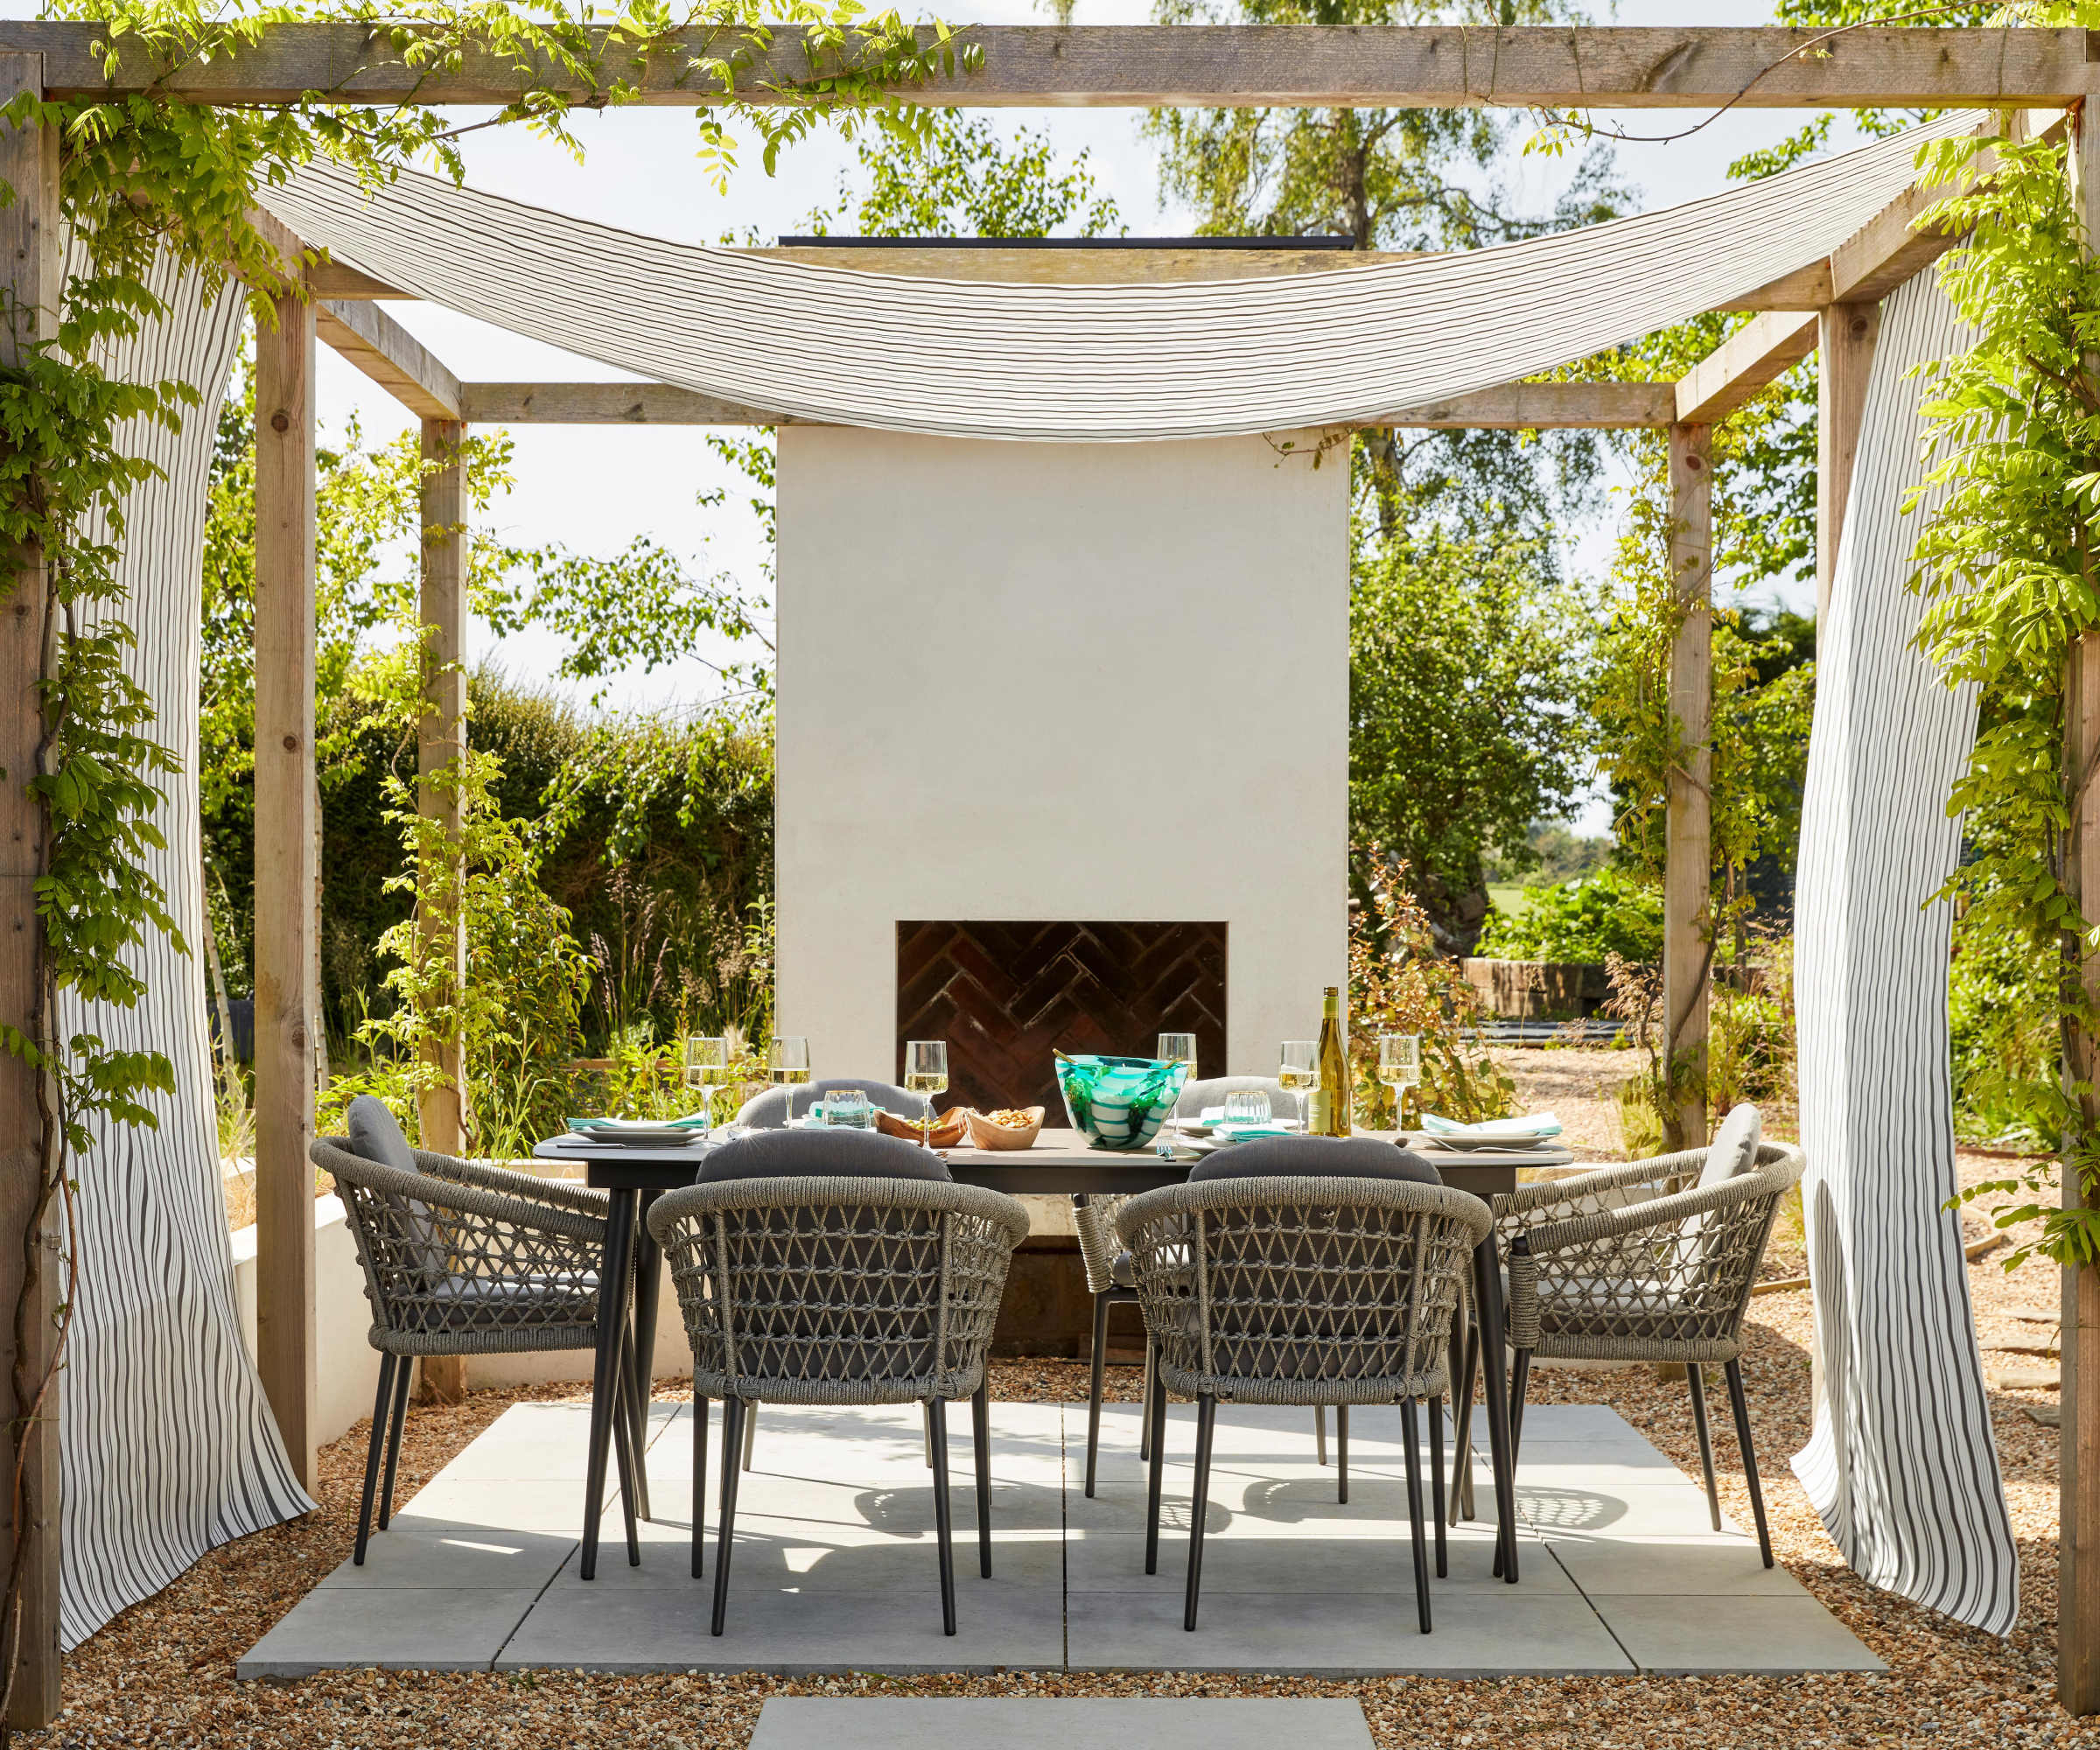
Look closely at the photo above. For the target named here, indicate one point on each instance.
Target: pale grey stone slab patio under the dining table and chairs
(835, 1564)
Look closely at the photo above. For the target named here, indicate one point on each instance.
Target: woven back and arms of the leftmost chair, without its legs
(446, 1259)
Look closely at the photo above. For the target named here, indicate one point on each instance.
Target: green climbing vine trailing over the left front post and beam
(148, 173)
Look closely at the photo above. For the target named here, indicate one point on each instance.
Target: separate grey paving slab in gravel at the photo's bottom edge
(1059, 1724)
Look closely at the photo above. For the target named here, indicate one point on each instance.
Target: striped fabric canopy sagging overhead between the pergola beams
(1089, 362)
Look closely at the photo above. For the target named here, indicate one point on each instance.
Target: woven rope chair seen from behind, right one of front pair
(1301, 1291)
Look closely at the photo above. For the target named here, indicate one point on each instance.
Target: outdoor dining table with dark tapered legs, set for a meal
(1055, 1165)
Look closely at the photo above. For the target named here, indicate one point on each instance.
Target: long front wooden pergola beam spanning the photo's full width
(1148, 66)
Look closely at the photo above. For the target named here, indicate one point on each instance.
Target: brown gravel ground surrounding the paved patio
(163, 1673)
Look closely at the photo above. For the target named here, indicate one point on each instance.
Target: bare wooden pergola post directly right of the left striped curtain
(287, 871)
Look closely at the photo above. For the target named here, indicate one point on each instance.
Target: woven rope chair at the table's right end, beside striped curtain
(1660, 1278)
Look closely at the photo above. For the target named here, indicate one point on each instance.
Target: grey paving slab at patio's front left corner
(348, 1629)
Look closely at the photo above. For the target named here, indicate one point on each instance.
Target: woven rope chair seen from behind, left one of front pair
(839, 1291)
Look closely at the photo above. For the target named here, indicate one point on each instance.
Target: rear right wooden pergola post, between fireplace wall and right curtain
(1689, 860)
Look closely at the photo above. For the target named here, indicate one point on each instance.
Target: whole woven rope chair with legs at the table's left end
(467, 1259)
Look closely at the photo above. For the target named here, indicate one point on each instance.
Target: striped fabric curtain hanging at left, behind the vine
(167, 1440)
